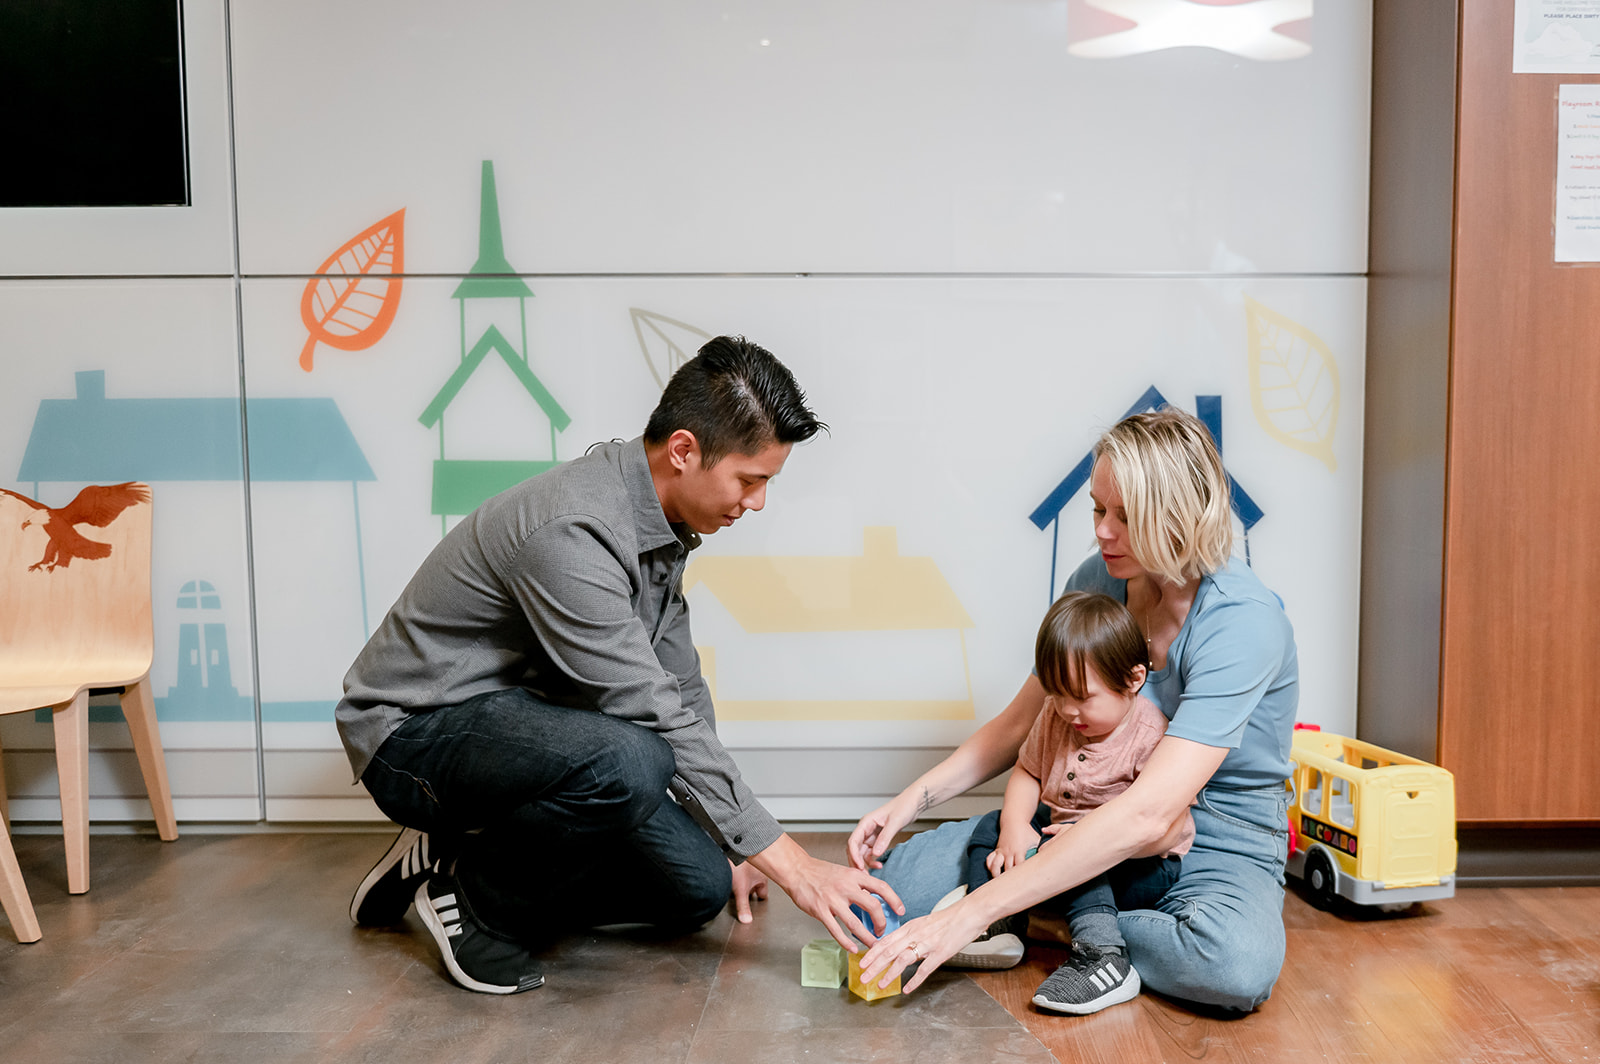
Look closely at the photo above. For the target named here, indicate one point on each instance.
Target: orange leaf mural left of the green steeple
(354, 308)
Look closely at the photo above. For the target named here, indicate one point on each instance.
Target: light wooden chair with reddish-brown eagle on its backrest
(78, 617)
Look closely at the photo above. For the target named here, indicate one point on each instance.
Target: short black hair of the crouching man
(737, 399)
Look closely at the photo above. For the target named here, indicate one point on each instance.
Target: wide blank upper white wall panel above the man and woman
(705, 137)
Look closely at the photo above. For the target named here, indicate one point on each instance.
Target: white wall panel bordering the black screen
(148, 241)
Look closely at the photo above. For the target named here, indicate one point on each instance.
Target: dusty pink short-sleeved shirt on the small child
(1078, 775)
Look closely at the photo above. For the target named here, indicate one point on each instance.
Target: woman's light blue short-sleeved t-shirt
(1231, 678)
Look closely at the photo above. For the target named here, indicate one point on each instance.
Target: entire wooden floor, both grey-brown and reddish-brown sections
(239, 948)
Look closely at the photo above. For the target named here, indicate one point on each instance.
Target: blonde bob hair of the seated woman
(1175, 492)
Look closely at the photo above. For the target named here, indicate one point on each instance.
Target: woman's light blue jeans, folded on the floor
(1215, 938)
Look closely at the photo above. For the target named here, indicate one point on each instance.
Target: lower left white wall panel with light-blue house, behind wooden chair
(138, 380)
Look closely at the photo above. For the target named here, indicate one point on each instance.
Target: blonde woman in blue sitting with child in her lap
(1222, 670)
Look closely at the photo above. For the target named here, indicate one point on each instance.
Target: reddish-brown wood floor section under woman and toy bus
(1490, 975)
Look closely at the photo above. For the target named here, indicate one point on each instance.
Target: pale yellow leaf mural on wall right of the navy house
(1294, 383)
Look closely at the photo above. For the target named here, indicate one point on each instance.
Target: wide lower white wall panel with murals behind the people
(958, 407)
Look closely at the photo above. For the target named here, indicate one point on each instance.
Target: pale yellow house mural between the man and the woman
(871, 638)
